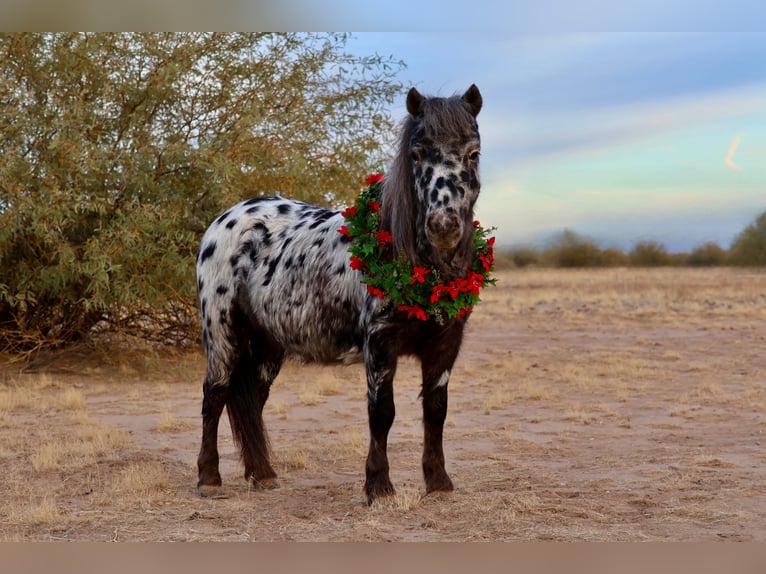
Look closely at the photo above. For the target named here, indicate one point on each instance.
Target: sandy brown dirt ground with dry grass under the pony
(619, 405)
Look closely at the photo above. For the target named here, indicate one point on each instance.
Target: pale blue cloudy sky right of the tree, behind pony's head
(619, 136)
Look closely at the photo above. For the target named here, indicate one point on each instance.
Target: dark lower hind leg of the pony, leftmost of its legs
(214, 399)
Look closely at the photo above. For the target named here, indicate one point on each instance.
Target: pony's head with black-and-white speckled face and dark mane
(434, 181)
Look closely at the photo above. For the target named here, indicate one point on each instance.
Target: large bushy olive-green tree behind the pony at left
(117, 150)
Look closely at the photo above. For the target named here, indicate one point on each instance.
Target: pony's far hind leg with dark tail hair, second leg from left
(247, 396)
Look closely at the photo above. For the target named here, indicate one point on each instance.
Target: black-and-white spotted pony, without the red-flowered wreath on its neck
(274, 281)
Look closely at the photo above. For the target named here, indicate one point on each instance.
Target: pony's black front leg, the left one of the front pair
(380, 363)
